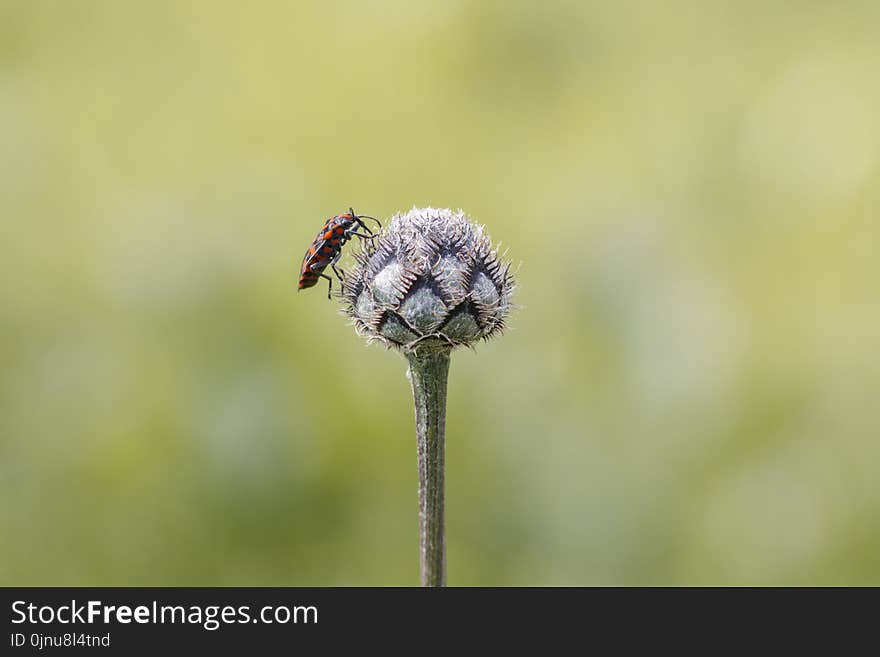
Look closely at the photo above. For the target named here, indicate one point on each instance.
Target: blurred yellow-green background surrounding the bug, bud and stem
(688, 394)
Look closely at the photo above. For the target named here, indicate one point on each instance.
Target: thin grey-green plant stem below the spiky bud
(428, 373)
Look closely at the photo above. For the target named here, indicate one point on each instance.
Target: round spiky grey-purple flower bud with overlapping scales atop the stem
(431, 279)
